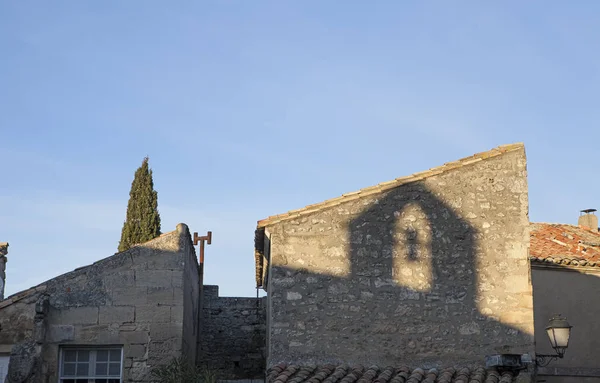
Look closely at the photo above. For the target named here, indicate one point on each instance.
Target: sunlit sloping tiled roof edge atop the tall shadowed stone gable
(387, 185)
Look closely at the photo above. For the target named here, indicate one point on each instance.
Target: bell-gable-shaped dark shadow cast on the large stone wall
(410, 297)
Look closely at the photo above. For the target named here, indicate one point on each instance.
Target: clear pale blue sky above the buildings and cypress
(252, 108)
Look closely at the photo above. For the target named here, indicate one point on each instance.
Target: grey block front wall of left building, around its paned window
(134, 299)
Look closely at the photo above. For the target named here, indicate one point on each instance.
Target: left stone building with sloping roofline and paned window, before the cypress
(110, 321)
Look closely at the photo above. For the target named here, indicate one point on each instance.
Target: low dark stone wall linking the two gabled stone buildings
(232, 340)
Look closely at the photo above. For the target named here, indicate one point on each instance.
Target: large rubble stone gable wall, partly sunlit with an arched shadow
(433, 272)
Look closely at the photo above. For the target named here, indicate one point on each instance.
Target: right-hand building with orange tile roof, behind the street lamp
(565, 268)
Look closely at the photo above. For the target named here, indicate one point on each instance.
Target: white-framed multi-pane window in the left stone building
(90, 365)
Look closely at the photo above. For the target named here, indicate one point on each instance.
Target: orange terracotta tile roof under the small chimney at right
(564, 245)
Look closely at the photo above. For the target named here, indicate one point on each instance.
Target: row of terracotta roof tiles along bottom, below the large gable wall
(282, 373)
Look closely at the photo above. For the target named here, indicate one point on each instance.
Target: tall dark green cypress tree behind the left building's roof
(143, 221)
